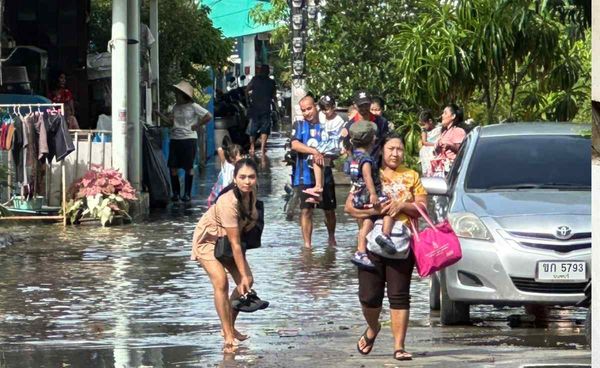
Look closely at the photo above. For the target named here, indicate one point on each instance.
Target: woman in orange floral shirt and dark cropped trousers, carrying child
(403, 187)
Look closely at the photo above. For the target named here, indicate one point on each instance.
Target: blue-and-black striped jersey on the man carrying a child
(310, 135)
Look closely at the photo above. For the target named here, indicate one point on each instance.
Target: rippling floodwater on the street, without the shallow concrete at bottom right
(129, 296)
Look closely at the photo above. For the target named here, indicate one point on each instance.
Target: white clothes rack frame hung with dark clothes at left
(32, 108)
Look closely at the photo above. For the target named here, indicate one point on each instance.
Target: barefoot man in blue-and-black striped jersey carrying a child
(306, 135)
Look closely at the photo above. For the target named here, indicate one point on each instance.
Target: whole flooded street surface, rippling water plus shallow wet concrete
(129, 296)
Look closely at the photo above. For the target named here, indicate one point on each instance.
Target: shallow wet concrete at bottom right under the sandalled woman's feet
(431, 347)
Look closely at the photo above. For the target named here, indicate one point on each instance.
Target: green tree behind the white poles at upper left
(188, 41)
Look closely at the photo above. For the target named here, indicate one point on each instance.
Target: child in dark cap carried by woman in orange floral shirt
(366, 185)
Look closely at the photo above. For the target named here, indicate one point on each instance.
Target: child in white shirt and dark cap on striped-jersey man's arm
(329, 146)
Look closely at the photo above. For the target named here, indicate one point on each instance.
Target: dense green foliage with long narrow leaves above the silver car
(504, 60)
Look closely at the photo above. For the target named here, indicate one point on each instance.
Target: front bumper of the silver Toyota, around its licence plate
(502, 272)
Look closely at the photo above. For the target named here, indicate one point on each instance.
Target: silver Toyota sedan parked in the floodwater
(519, 198)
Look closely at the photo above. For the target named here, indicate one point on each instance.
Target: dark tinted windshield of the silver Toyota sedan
(530, 162)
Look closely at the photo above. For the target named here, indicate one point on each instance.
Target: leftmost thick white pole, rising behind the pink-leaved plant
(118, 48)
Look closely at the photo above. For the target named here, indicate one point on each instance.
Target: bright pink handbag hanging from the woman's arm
(436, 247)
